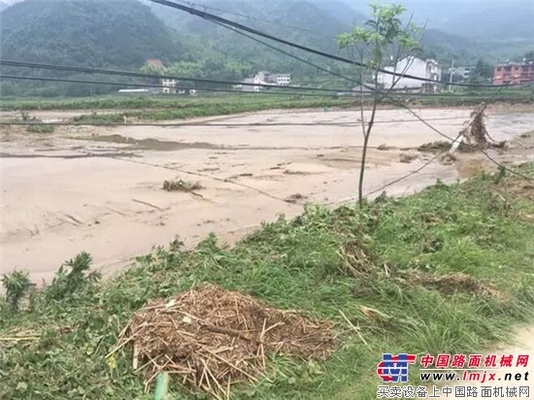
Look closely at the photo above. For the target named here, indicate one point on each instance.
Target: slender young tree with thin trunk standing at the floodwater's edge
(383, 40)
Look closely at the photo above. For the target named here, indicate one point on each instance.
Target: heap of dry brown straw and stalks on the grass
(210, 338)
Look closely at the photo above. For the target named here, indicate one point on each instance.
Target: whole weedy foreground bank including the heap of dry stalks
(444, 271)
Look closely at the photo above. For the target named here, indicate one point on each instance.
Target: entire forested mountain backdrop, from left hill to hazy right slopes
(123, 34)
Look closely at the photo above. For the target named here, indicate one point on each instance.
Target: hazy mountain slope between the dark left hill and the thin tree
(303, 22)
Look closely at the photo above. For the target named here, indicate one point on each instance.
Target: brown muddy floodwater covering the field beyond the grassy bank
(100, 189)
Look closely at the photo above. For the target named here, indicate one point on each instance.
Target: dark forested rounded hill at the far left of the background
(92, 33)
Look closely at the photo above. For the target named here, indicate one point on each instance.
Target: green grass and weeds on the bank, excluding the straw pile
(313, 263)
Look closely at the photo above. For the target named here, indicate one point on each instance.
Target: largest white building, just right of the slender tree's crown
(426, 69)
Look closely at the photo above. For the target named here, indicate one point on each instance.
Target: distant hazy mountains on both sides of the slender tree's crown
(463, 31)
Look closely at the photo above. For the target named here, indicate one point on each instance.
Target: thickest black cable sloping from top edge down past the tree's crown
(213, 18)
